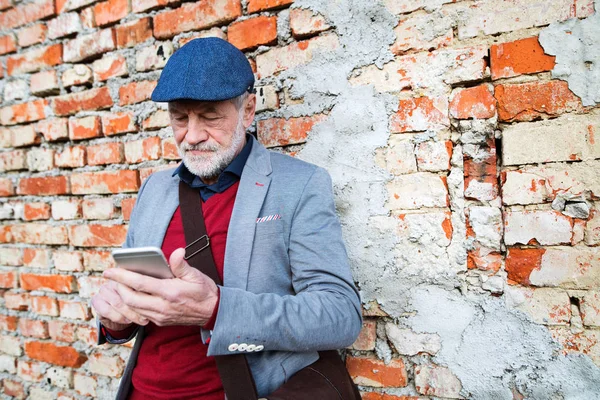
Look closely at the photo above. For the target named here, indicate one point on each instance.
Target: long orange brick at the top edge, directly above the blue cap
(195, 16)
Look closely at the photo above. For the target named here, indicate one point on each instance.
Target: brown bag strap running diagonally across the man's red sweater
(233, 369)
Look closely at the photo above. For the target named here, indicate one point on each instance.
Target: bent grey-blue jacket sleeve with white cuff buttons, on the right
(325, 311)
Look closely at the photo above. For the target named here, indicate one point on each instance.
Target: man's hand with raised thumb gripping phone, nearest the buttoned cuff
(188, 299)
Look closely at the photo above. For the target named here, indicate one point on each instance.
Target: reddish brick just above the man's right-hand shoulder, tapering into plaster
(282, 132)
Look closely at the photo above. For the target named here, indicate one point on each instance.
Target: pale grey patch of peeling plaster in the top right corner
(576, 45)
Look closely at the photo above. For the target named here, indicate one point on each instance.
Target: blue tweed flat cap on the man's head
(207, 69)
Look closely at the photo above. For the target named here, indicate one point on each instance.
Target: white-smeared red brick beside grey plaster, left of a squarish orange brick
(420, 114)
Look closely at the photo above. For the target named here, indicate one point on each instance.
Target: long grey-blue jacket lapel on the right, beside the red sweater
(253, 188)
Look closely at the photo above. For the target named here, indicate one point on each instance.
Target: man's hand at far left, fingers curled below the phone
(111, 311)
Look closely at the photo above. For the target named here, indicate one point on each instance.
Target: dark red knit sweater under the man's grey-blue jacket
(172, 363)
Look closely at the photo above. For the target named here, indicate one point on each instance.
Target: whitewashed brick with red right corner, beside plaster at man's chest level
(418, 190)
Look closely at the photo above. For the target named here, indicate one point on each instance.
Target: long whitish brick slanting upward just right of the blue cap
(283, 58)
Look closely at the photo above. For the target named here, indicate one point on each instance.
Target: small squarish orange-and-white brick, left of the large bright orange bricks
(477, 102)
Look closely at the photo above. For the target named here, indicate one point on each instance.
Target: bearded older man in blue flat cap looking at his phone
(274, 237)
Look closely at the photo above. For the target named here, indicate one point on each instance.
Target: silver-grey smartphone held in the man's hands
(143, 260)
